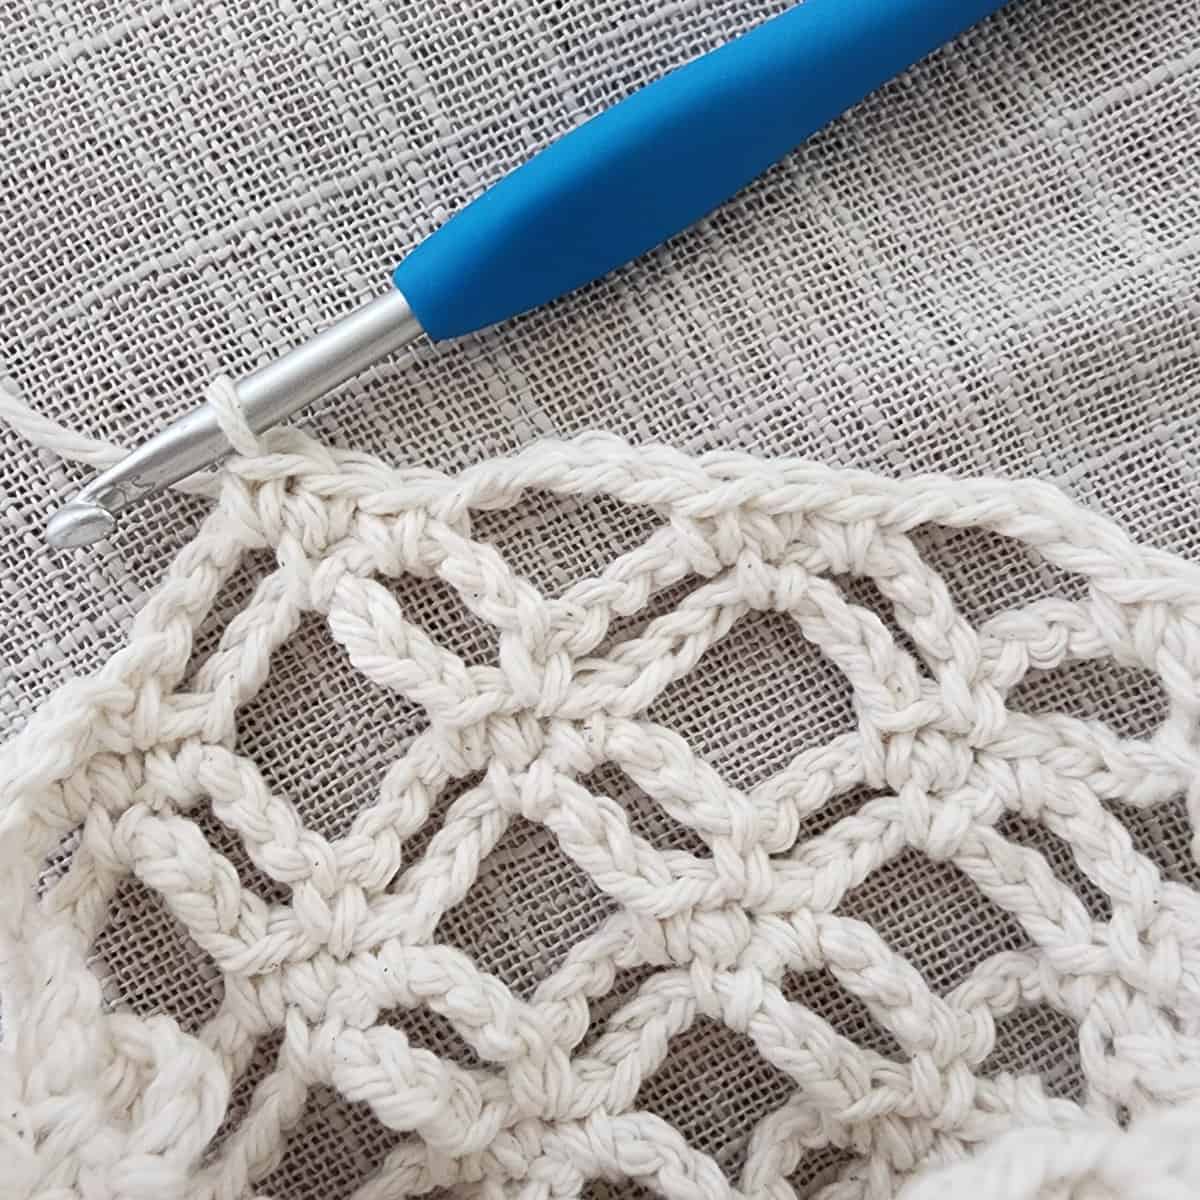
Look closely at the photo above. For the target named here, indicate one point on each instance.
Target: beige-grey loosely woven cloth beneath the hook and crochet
(991, 267)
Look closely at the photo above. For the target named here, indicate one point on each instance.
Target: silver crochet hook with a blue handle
(599, 197)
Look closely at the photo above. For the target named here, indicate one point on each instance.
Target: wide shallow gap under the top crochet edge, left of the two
(554, 542)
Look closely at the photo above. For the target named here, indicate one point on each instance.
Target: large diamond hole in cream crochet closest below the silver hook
(322, 735)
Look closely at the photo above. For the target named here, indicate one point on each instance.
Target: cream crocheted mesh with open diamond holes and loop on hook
(106, 1105)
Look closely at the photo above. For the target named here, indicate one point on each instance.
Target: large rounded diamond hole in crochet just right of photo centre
(763, 676)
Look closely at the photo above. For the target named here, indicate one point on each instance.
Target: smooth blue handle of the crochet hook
(656, 164)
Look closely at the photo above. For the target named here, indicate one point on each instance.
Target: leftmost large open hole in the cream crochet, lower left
(148, 963)
